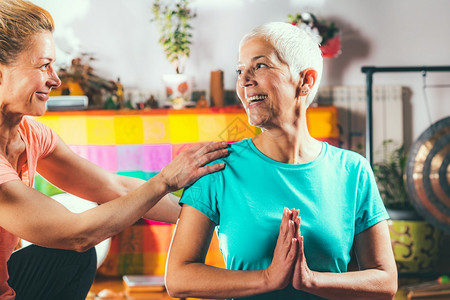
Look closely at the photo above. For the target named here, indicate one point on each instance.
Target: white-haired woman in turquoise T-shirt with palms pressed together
(335, 206)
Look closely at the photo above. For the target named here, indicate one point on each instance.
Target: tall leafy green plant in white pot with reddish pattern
(172, 20)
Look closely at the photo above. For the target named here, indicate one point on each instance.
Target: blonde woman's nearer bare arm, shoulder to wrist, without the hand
(37, 218)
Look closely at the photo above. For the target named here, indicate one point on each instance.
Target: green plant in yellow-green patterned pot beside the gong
(415, 242)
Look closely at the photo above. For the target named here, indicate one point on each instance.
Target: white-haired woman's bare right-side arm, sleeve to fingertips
(377, 278)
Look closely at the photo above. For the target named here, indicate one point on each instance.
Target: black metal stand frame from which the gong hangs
(369, 71)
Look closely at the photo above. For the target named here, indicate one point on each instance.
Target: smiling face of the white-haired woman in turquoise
(265, 85)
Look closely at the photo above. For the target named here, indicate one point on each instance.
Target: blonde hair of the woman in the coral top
(19, 21)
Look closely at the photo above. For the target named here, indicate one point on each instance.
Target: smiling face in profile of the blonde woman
(25, 84)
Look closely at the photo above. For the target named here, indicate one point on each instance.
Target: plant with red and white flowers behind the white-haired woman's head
(326, 33)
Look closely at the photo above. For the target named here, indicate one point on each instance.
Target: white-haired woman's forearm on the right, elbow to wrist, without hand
(365, 284)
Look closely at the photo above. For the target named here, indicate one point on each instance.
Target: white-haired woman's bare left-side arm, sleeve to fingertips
(188, 276)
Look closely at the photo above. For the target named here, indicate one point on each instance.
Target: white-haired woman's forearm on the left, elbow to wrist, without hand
(212, 282)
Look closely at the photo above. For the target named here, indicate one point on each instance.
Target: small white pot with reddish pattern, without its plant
(178, 89)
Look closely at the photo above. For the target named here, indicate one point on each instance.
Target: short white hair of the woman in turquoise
(296, 47)
